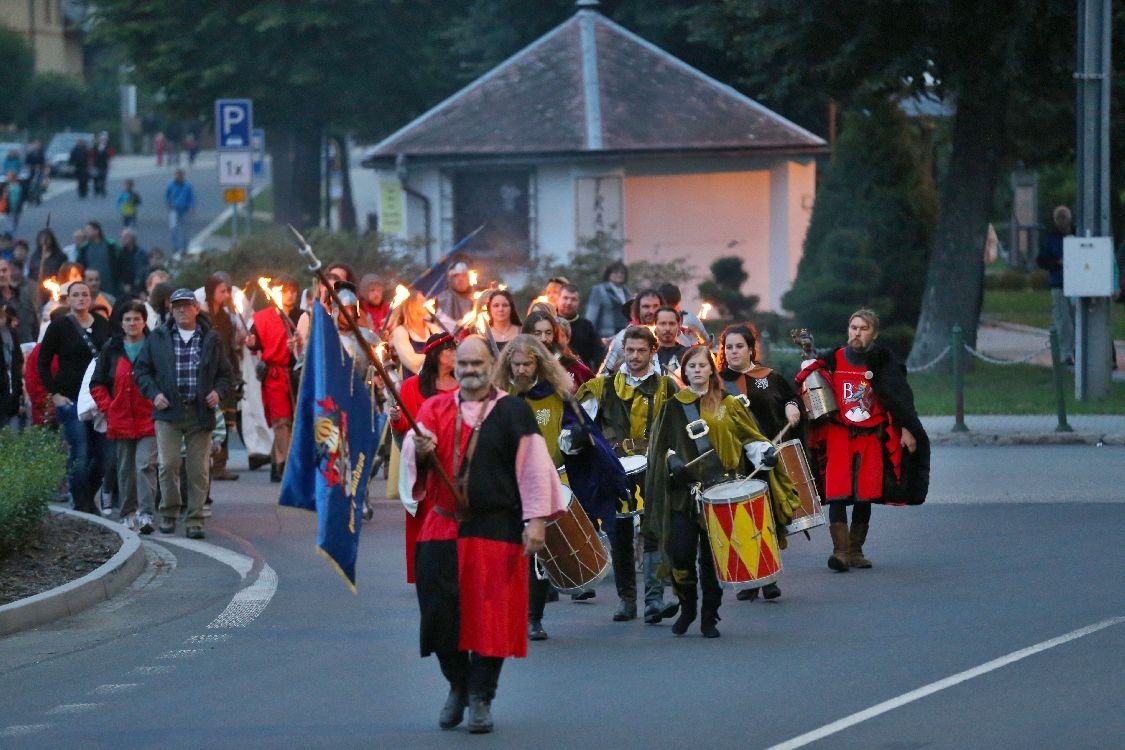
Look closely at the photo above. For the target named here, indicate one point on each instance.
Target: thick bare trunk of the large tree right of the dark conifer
(956, 277)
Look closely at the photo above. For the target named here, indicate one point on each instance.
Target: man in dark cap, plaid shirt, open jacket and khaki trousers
(184, 371)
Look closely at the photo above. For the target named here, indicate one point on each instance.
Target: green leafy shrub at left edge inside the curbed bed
(32, 464)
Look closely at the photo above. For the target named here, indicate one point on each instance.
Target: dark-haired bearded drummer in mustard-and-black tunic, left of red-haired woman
(624, 404)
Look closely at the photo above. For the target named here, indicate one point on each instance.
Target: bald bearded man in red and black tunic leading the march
(470, 558)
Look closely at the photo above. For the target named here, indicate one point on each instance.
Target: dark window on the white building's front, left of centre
(502, 202)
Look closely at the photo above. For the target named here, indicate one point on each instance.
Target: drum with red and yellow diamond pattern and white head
(741, 527)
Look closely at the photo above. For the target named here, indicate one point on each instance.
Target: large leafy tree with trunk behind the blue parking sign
(358, 66)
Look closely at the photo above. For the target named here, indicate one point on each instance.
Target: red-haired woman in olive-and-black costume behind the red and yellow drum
(700, 419)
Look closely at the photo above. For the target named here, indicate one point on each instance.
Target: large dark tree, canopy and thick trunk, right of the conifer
(980, 57)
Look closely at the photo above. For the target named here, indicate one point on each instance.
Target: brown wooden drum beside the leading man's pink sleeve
(575, 555)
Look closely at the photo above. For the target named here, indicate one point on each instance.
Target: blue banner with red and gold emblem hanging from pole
(335, 438)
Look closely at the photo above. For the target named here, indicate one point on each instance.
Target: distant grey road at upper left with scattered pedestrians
(68, 212)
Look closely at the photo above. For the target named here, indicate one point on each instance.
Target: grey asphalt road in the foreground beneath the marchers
(994, 618)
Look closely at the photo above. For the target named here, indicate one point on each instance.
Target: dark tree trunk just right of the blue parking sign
(298, 177)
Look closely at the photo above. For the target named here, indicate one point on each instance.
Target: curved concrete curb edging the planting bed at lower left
(97, 586)
